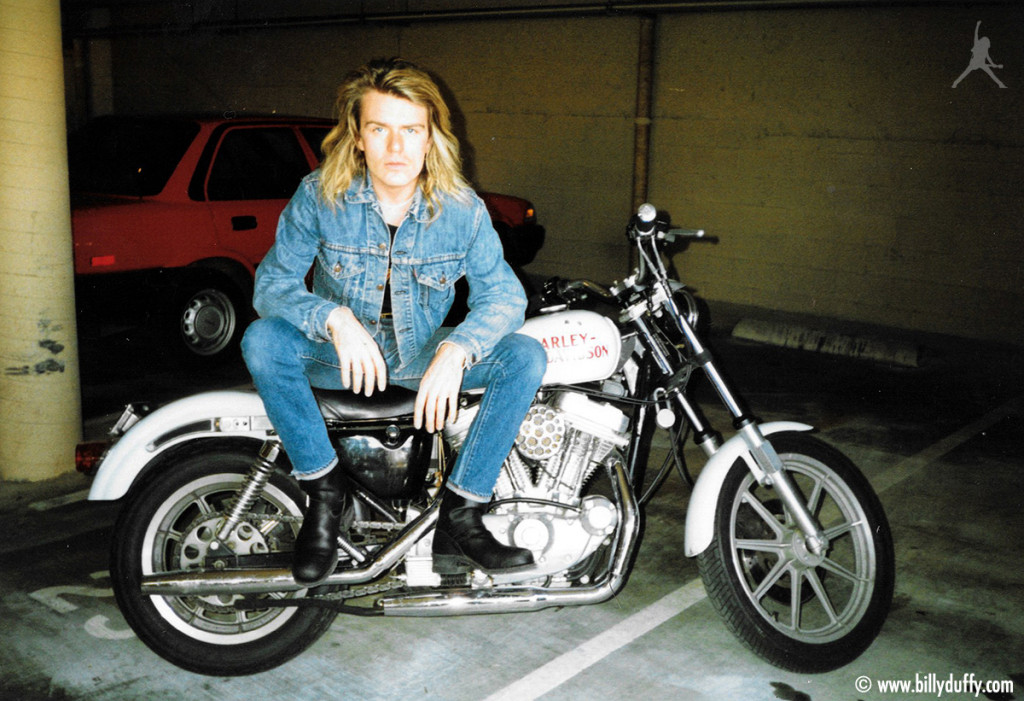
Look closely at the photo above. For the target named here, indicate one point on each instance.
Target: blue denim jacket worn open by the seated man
(350, 248)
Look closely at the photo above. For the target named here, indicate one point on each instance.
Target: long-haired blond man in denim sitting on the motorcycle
(390, 225)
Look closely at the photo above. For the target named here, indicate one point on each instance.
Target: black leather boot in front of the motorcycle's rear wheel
(317, 544)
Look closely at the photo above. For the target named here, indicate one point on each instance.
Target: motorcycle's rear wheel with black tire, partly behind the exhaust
(169, 524)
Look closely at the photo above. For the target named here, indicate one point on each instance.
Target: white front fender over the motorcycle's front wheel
(704, 501)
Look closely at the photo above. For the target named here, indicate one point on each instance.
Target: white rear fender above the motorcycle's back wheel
(211, 415)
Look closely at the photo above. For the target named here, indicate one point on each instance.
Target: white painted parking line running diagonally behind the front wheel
(568, 666)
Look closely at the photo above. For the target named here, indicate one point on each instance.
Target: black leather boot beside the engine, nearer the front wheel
(463, 544)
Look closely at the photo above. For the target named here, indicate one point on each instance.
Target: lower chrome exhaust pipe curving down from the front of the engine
(521, 599)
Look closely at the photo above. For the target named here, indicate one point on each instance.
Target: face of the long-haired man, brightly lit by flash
(395, 136)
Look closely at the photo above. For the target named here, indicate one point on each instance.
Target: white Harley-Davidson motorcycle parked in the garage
(791, 542)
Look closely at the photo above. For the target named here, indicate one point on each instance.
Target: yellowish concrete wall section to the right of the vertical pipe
(844, 174)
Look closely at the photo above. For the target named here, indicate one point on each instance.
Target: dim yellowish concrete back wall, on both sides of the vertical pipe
(827, 148)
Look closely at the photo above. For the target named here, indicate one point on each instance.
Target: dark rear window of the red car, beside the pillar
(127, 157)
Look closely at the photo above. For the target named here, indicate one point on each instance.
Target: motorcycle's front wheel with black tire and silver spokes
(799, 610)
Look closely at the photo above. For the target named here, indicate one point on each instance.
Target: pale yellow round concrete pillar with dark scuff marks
(40, 403)
